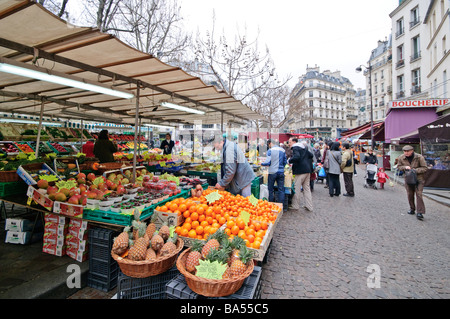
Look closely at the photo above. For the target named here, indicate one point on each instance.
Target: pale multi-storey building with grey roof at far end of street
(323, 104)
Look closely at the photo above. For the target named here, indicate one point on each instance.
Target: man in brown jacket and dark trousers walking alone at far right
(412, 164)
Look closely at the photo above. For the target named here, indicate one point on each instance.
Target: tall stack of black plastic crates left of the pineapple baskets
(103, 269)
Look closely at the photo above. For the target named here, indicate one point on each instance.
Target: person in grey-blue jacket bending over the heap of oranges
(237, 174)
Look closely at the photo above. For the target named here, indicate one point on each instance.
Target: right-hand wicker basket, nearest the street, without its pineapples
(212, 287)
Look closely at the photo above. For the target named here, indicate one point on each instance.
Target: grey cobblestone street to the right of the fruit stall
(326, 253)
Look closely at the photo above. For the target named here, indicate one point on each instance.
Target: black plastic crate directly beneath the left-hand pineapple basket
(153, 287)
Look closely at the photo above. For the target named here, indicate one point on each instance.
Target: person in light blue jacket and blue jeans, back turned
(276, 160)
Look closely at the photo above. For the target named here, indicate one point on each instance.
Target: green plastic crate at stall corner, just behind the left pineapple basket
(116, 218)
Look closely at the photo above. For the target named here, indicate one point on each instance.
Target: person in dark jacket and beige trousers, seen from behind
(301, 161)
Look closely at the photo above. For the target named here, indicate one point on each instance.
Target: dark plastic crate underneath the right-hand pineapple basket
(177, 288)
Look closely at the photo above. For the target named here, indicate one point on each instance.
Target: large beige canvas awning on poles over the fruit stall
(33, 37)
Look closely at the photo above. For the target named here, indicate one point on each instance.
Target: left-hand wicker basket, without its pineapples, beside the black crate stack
(144, 268)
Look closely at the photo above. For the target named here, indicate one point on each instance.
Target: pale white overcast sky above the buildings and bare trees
(335, 35)
